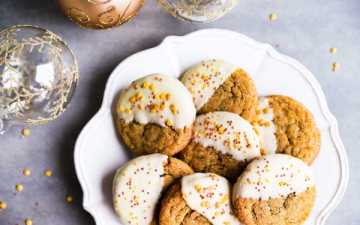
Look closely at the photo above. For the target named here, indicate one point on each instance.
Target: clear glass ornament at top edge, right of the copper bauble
(198, 10)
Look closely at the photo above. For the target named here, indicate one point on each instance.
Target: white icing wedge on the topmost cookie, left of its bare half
(203, 79)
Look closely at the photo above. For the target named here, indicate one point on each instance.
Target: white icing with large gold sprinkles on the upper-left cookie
(158, 99)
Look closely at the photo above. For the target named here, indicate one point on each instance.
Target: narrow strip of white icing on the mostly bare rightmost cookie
(267, 127)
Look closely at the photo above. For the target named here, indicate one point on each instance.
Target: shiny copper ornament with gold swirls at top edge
(100, 14)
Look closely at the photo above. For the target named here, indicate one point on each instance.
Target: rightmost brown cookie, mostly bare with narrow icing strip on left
(286, 126)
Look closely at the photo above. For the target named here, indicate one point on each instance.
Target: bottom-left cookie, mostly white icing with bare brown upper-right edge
(138, 186)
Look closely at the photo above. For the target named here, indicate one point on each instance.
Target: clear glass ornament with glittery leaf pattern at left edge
(38, 76)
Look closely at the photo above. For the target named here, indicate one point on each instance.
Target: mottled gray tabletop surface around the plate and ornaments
(306, 29)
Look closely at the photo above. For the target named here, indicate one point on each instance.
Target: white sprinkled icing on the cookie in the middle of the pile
(227, 133)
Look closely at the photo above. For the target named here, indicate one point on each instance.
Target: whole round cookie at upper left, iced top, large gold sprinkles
(155, 115)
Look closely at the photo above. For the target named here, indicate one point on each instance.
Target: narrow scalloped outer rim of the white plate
(310, 78)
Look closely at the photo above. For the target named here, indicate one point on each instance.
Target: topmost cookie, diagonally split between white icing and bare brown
(219, 86)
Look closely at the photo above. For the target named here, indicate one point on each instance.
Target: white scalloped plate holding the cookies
(98, 153)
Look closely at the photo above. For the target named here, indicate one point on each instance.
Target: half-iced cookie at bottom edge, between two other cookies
(199, 199)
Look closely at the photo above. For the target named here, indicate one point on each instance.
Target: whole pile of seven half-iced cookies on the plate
(211, 151)
